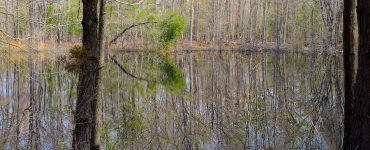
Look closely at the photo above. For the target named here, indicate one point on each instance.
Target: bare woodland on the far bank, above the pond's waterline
(219, 23)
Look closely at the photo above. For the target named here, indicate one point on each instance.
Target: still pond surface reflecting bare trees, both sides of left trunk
(232, 100)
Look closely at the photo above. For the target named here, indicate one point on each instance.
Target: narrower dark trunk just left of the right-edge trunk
(349, 63)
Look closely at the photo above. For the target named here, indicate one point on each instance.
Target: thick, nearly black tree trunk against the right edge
(359, 137)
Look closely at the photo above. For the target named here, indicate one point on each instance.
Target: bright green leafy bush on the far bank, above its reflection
(172, 28)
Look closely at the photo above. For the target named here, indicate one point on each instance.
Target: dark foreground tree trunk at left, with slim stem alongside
(88, 86)
